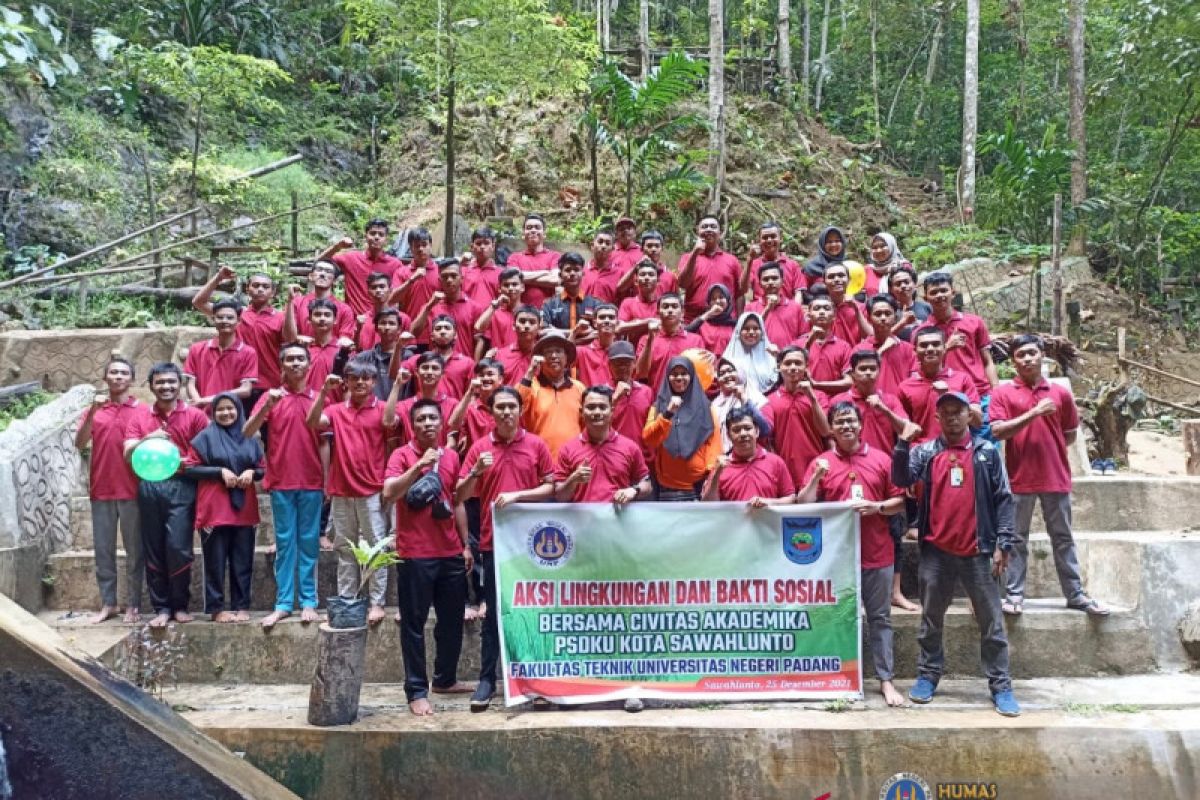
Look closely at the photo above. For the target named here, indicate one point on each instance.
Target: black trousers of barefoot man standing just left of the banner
(441, 585)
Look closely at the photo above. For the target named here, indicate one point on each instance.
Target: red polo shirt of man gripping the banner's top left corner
(518, 466)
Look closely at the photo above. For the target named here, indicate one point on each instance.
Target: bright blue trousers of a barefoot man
(297, 546)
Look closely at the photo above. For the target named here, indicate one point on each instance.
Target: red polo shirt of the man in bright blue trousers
(293, 458)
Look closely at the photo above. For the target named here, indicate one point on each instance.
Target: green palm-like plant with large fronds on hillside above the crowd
(640, 123)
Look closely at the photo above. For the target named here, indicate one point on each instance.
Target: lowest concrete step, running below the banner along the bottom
(1131, 737)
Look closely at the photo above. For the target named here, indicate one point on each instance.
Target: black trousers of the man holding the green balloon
(167, 512)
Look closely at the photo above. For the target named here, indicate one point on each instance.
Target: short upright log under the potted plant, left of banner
(338, 681)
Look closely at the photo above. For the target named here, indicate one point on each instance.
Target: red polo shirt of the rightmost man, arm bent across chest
(1037, 455)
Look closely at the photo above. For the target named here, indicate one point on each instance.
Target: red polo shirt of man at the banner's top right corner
(871, 471)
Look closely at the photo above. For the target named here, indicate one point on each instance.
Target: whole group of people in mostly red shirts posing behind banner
(437, 390)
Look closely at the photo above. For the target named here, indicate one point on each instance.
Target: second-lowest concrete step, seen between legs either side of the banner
(1047, 641)
